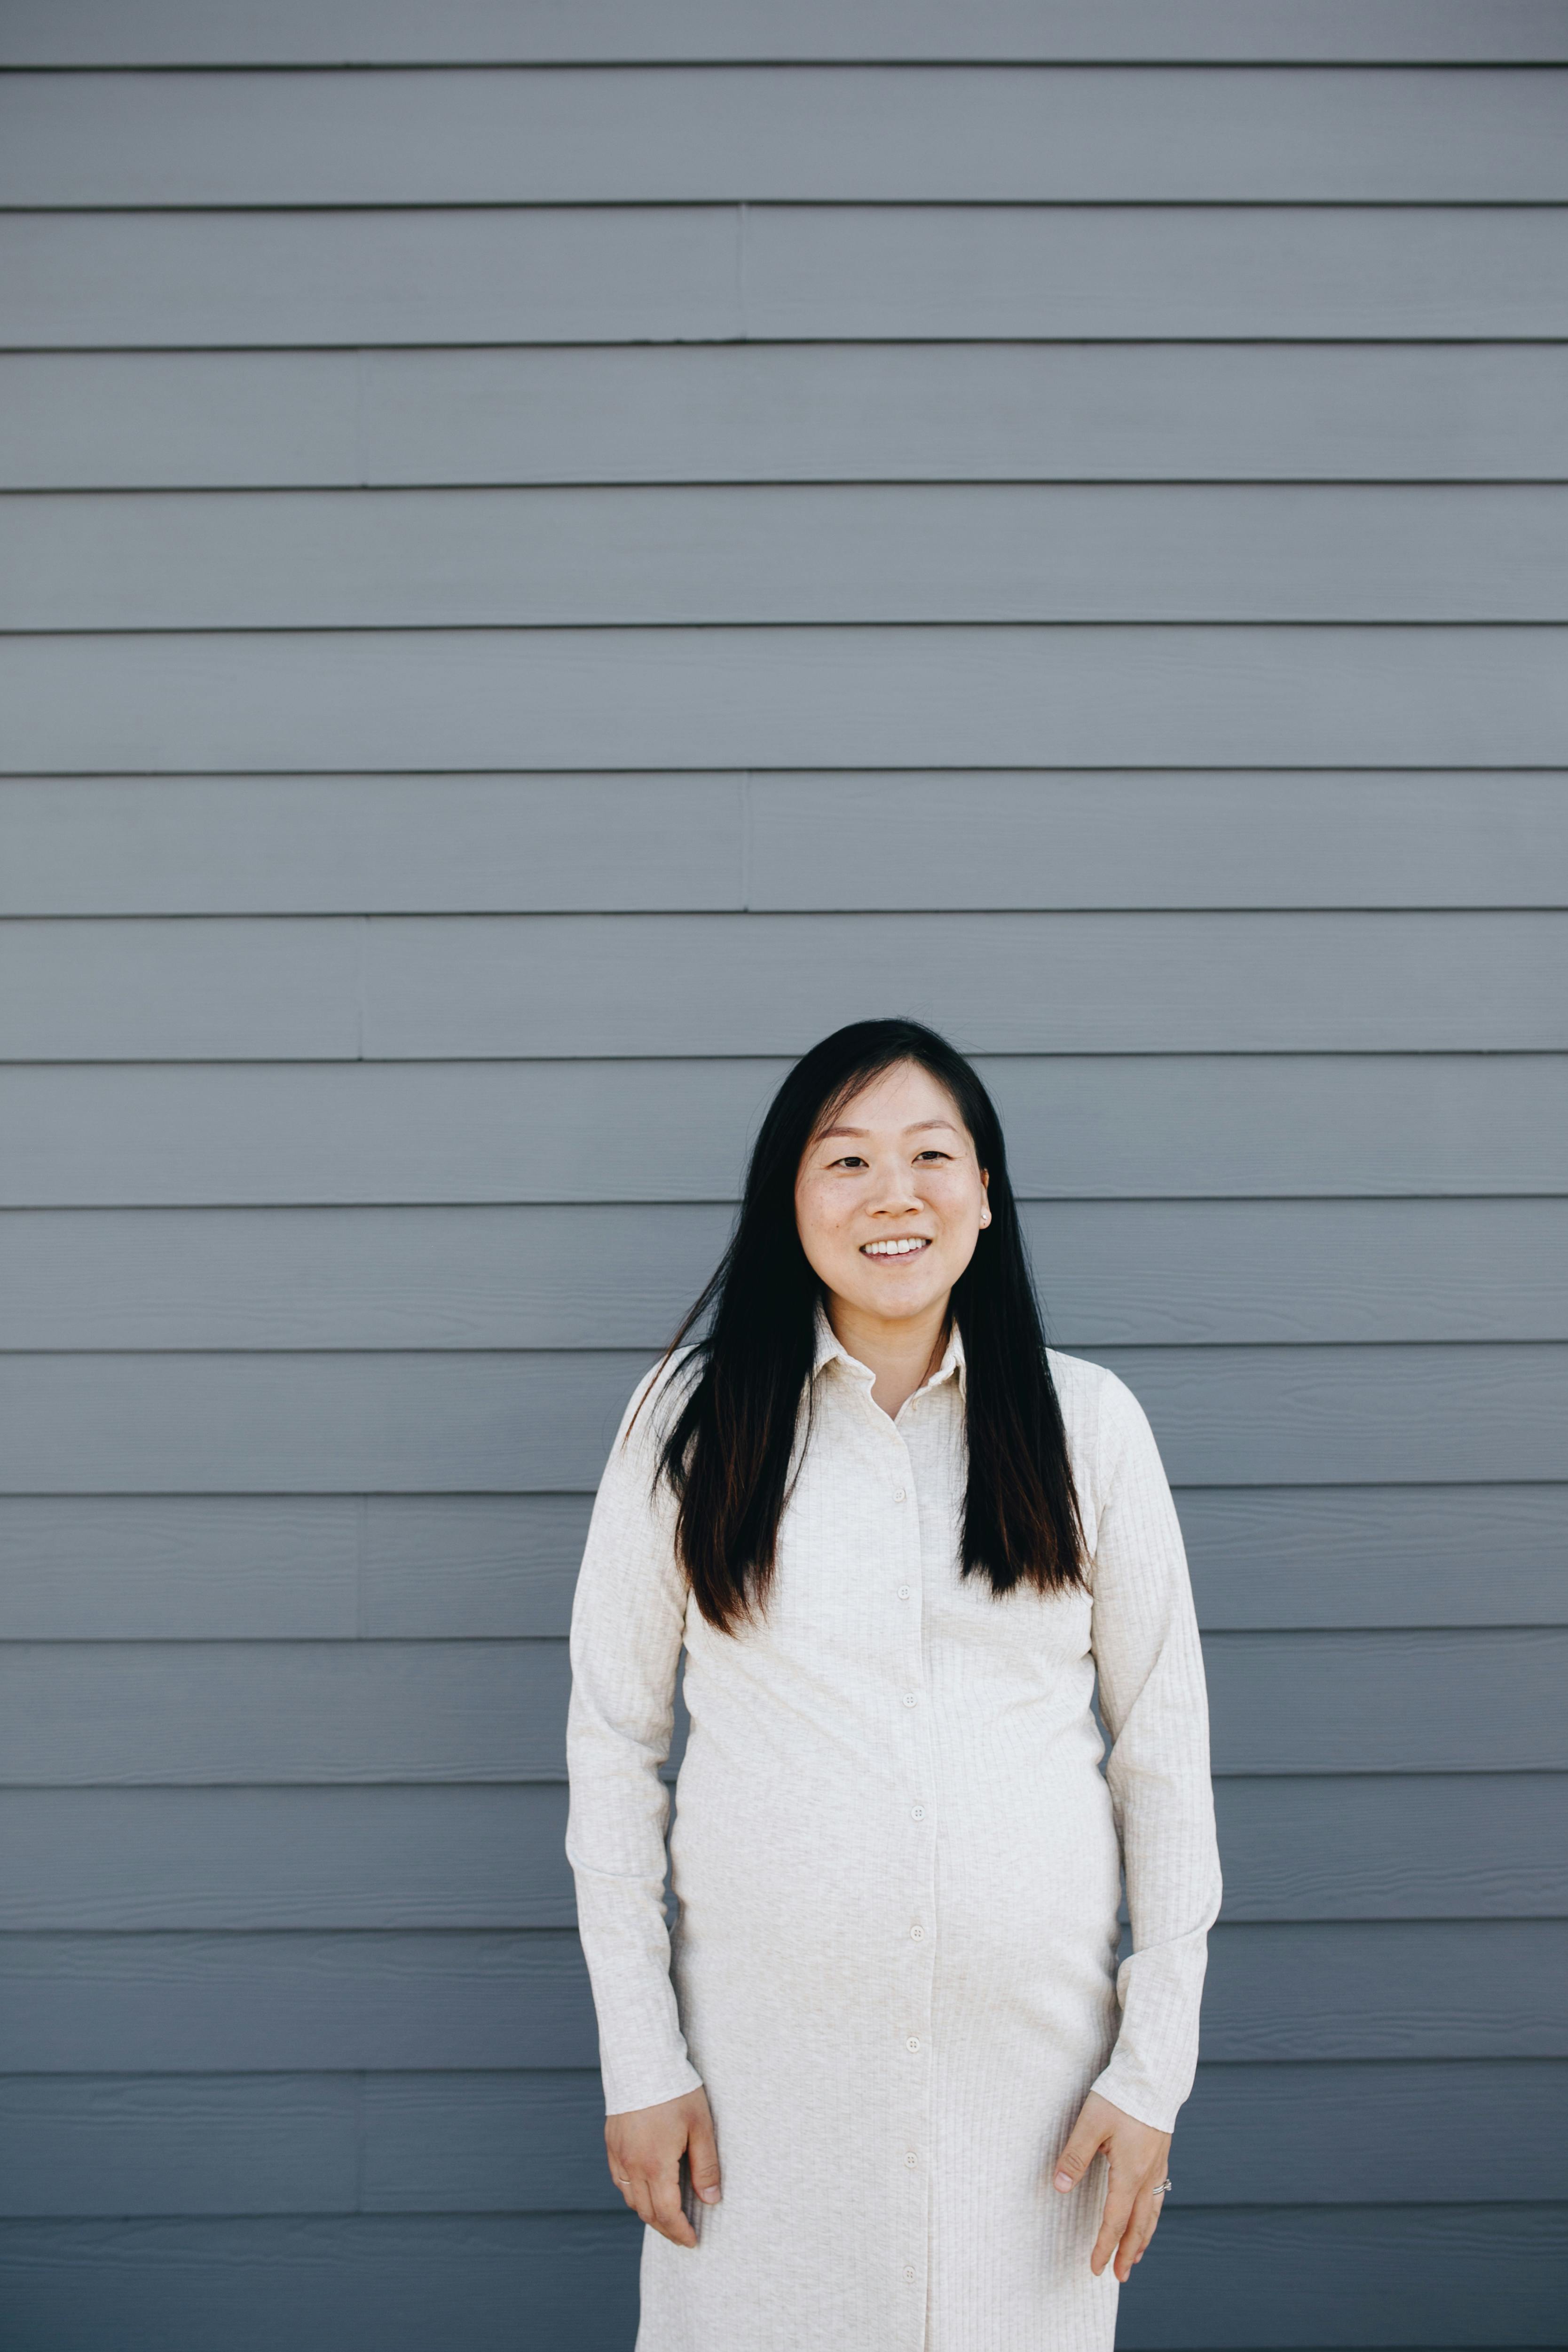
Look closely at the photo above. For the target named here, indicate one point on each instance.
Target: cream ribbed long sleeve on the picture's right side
(1155, 1709)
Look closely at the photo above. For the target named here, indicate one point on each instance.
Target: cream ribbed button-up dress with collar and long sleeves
(897, 1869)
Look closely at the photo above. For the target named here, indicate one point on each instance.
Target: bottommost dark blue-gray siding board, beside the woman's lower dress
(394, 2285)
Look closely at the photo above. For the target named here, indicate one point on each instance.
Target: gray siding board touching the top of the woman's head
(420, 989)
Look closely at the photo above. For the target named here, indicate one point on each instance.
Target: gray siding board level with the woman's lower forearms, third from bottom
(490, 2000)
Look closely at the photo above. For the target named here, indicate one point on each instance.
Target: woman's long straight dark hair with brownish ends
(737, 1398)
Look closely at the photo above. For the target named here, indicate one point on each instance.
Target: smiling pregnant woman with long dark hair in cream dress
(885, 2090)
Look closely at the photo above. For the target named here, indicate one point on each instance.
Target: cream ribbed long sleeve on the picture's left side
(626, 1641)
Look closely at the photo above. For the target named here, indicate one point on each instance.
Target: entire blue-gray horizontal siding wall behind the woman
(535, 594)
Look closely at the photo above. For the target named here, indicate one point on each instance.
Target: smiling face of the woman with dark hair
(890, 1201)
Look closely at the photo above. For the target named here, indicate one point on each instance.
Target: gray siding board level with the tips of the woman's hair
(469, 1568)
